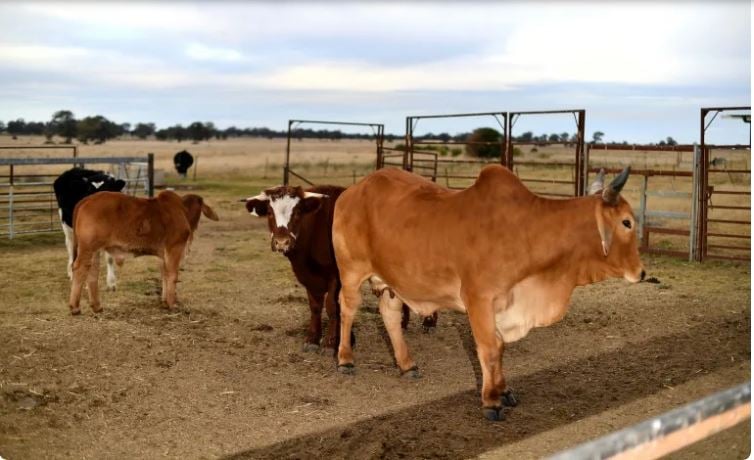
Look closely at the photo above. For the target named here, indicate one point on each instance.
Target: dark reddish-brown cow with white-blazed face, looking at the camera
(300, 223)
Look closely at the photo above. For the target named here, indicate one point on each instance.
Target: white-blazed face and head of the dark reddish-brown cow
(284, 207)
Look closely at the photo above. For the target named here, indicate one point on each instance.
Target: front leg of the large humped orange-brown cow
(488, 347)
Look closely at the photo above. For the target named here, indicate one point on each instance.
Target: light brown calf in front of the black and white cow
(122, 224)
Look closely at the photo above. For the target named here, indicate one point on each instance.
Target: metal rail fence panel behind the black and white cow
(27, 199)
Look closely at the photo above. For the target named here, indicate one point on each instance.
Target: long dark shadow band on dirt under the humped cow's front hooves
(452, 427)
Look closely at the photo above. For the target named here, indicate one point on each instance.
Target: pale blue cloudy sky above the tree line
(642, 70)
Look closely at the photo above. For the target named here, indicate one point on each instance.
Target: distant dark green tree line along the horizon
(99, 129)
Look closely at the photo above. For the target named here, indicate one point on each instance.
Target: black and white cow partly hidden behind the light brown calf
(73, 186)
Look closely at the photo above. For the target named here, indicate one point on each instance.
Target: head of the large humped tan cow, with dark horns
(617, 228)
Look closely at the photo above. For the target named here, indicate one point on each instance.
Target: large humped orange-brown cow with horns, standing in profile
(507, 257)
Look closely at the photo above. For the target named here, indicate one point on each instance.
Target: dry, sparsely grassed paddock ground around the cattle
(225, 374)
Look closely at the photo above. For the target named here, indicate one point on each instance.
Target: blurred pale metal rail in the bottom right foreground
(671, 431)
